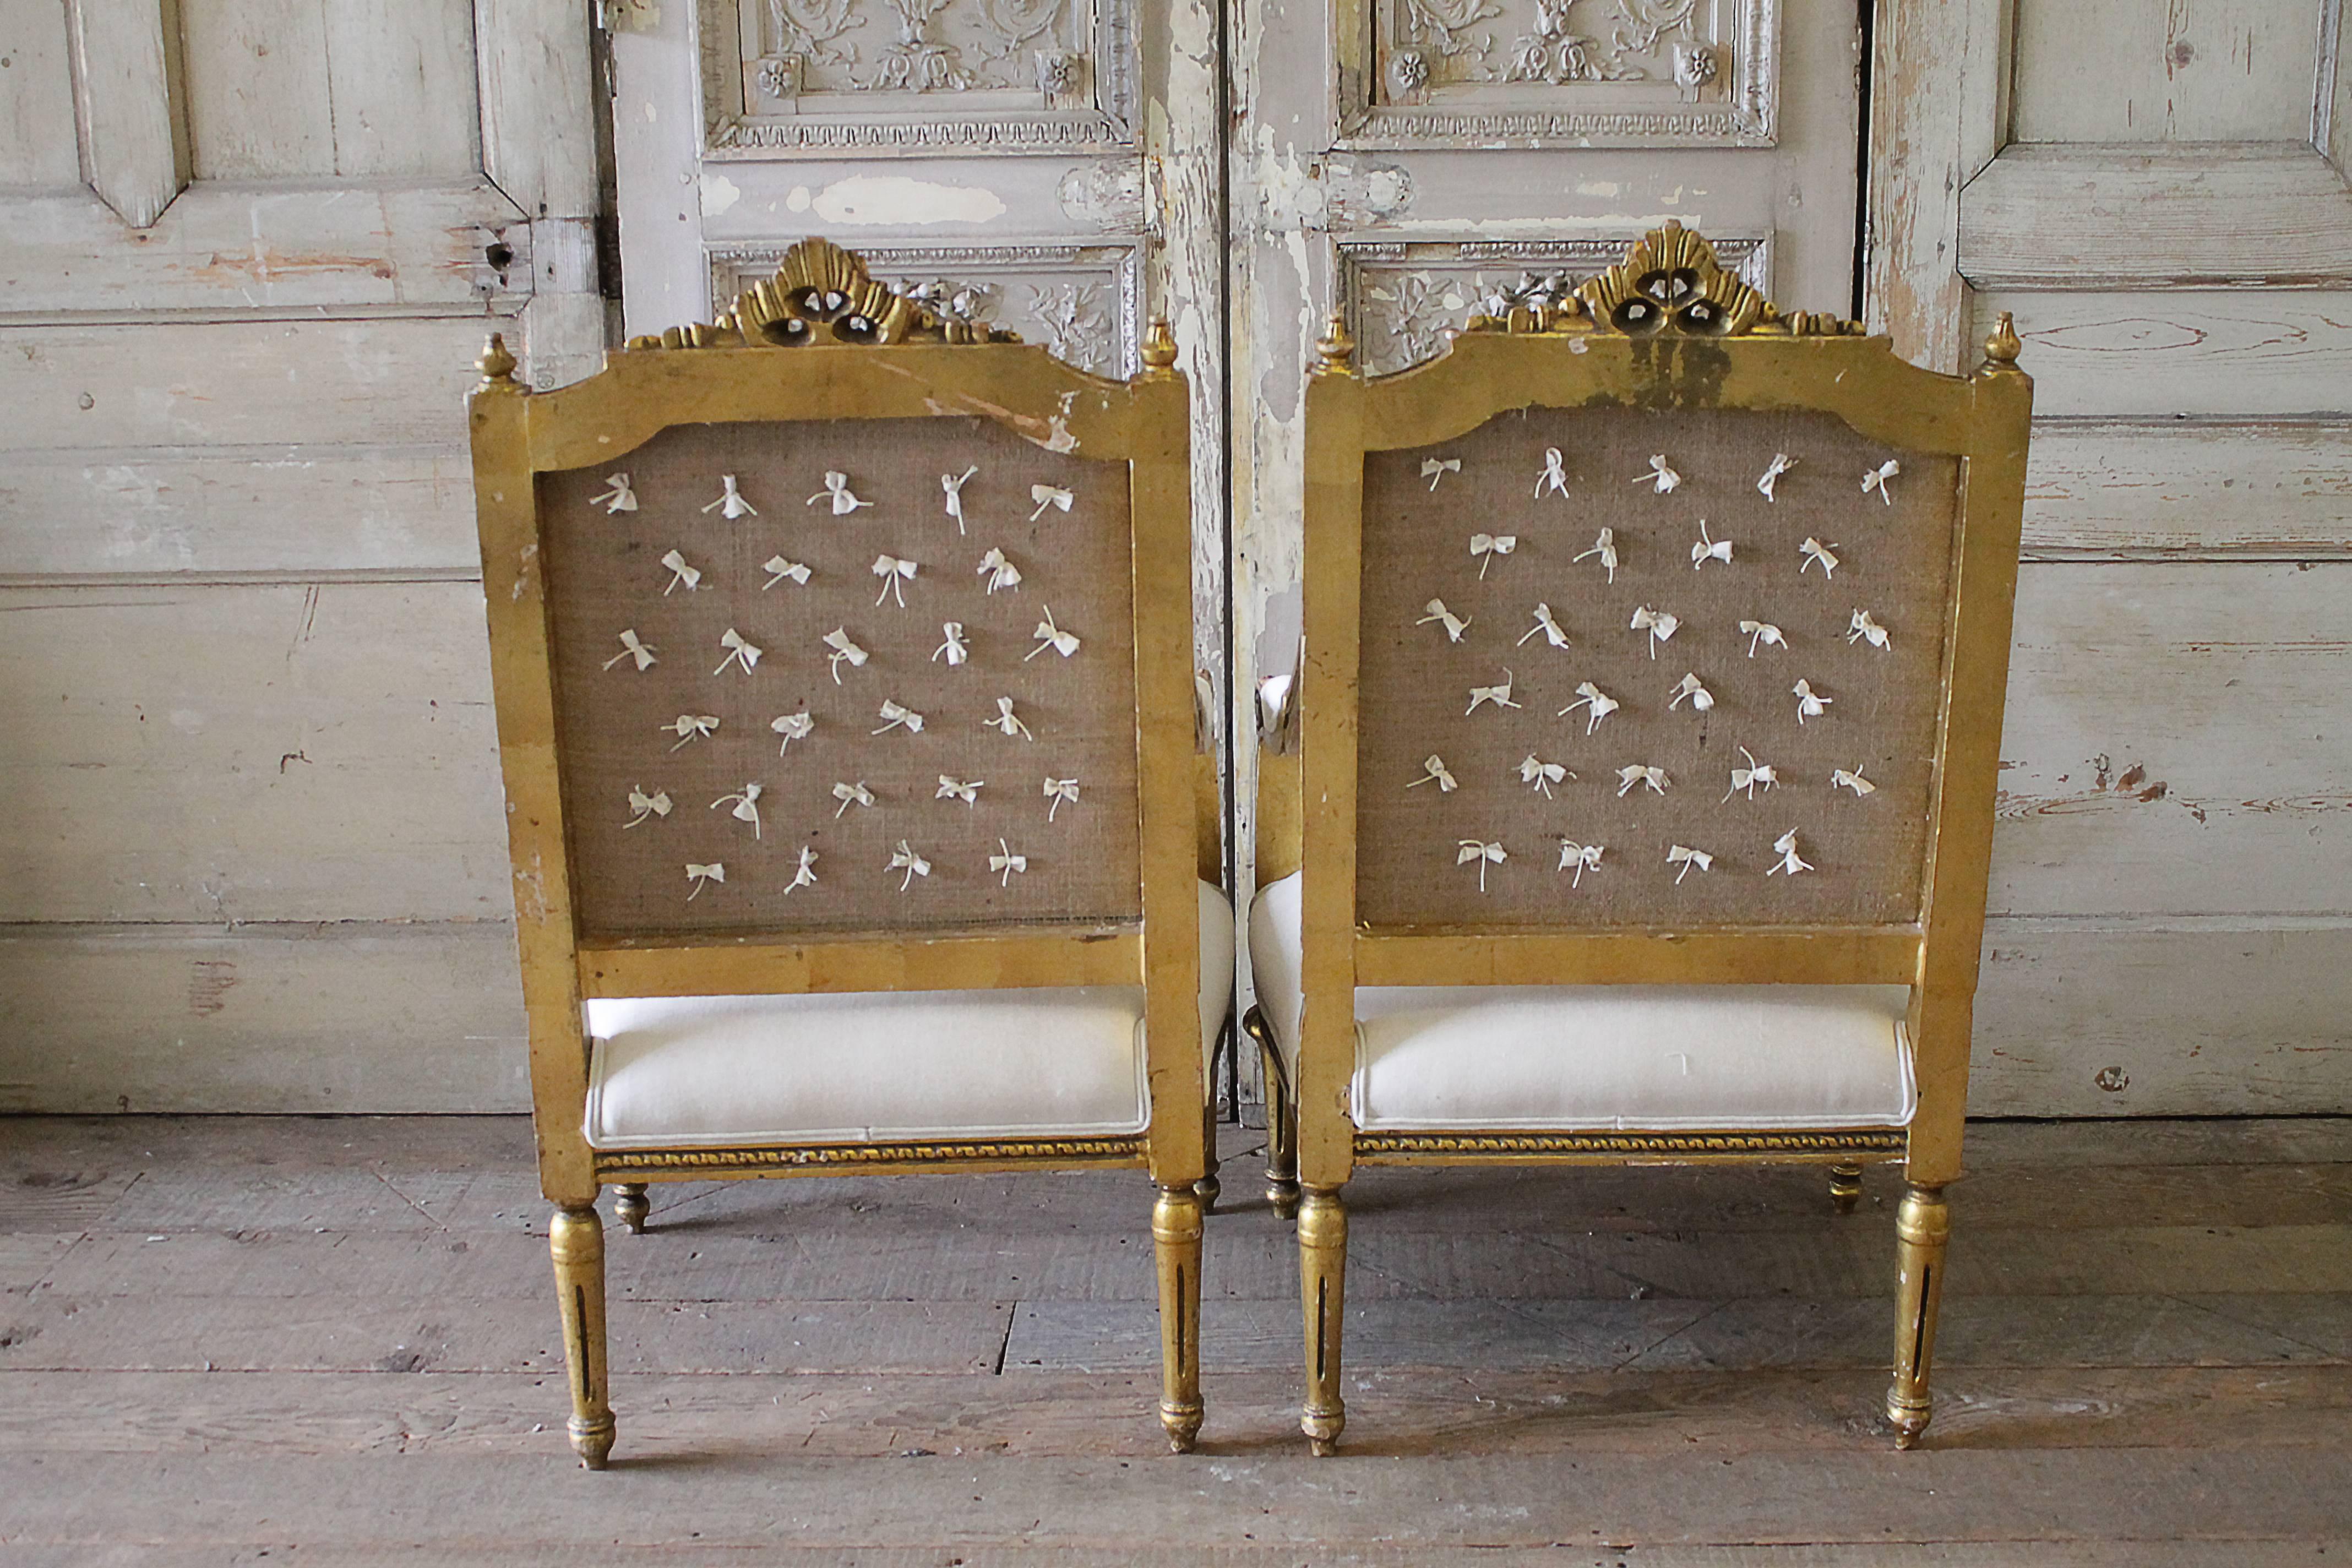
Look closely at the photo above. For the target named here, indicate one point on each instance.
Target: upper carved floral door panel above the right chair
(1455, 74)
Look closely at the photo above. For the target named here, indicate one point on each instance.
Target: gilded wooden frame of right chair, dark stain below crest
(1669, 333)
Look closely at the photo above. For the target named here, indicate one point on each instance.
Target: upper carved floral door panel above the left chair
(916, 76)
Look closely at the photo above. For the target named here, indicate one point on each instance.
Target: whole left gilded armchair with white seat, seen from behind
(846, 706)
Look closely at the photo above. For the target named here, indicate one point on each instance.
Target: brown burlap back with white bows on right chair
(1895, 563)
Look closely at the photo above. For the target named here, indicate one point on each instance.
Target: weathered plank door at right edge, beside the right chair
(2158, 194)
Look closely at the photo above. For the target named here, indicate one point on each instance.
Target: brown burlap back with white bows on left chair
(617, 723)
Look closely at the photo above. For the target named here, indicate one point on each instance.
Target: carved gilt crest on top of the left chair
(824, 295)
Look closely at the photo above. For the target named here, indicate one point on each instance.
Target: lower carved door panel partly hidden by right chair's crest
(1408, 297)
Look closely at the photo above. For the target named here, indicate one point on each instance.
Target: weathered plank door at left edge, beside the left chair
(248, 255)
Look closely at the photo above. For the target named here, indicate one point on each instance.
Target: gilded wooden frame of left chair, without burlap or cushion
(918, 368)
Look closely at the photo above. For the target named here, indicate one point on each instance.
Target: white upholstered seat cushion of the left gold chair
(886, 1066)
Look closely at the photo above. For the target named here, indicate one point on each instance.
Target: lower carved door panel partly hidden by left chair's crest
(1078, 300)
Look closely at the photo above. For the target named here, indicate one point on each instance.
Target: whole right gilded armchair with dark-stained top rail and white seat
(1643, 760)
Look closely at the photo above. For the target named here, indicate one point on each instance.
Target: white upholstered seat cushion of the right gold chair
(1603, 1057)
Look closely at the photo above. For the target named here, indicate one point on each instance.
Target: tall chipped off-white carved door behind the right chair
(1403, 161)
